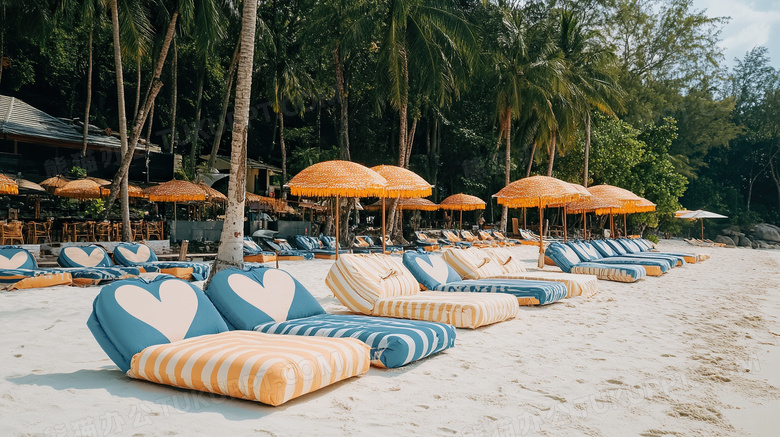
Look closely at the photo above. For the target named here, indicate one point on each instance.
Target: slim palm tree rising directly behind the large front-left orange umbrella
(345, 25)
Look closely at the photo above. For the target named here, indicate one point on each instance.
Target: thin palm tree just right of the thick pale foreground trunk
(290, 83)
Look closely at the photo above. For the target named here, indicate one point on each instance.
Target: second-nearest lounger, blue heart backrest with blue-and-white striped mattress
(272, 301)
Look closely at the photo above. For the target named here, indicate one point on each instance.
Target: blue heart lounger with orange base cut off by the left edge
(19, 270)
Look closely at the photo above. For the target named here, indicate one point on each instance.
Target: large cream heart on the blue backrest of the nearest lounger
(172, 314)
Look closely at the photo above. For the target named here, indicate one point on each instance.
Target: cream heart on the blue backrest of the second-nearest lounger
(273, 297)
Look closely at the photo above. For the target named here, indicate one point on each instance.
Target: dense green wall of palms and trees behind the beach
(470, 94)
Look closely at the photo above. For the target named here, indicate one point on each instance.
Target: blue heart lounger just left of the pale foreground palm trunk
(141, 256)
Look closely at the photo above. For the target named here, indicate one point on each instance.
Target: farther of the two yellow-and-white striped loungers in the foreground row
(576, 285)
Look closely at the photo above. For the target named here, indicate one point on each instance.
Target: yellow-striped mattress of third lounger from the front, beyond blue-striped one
(462, 310)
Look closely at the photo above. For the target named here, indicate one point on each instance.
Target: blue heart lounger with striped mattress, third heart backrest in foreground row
(434, 274)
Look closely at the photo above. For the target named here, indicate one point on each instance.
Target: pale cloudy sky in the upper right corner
(753, 23)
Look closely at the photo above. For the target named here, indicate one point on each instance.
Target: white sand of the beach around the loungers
(695, 352)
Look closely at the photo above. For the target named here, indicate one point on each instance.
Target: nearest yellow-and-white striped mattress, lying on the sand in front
(271, 369)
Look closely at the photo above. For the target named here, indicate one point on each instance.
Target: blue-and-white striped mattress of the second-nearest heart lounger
(393, 342)
